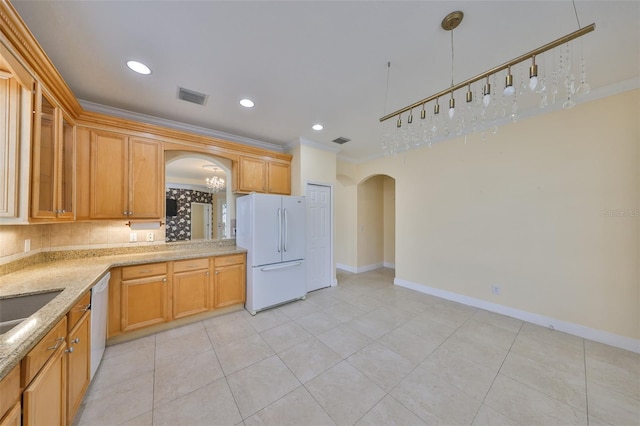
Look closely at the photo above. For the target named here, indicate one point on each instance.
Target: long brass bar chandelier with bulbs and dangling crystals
(484, 106)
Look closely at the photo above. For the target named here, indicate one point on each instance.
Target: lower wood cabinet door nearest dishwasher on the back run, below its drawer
(144, 302)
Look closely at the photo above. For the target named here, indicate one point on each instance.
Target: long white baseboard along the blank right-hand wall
(600, 336)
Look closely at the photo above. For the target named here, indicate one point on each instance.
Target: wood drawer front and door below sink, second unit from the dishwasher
(44, 372)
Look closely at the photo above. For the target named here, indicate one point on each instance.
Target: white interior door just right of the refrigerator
(319, 230)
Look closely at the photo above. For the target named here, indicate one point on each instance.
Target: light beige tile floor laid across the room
(367, 353)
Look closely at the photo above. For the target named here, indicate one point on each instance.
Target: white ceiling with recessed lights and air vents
(307, 62)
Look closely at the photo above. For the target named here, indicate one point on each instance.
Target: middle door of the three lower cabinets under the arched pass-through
(190, 293)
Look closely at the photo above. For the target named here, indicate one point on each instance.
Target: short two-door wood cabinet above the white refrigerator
(260, 175)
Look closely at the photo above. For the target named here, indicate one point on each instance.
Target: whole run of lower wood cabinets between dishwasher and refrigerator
(145, 295)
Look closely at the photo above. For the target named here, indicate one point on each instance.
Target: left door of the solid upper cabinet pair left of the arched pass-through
(109, 176)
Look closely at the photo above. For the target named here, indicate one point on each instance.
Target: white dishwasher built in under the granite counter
(99, 303)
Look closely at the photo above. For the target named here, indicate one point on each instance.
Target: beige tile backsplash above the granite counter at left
(65, 236)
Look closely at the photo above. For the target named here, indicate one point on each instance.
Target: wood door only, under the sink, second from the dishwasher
(45, 398)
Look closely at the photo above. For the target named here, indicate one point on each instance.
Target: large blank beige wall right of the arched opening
(546, 209)
